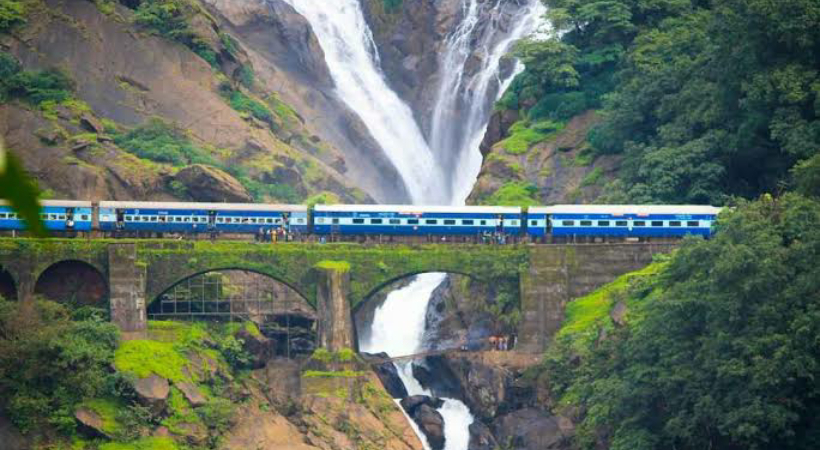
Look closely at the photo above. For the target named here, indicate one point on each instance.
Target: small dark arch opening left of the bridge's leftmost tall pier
(73, 281)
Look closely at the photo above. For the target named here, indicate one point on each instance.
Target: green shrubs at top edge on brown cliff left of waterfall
(172, 19)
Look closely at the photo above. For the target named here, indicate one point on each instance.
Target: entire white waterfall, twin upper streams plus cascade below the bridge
(351, 55)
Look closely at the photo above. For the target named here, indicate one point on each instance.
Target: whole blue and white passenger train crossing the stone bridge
(538, 223)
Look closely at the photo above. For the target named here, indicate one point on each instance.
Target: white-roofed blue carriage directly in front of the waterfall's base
(413, 220)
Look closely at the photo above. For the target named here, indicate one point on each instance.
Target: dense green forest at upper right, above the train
(704, 99)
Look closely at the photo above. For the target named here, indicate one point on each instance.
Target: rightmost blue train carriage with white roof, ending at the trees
(636, 221)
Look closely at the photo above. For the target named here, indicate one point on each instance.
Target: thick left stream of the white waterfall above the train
(352, 58)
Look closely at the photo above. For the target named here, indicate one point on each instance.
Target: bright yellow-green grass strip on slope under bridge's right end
(585, 315)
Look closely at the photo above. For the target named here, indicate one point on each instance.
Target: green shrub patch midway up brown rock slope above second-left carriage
(158, 141)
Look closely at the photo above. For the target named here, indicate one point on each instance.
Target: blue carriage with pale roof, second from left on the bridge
(179, 217)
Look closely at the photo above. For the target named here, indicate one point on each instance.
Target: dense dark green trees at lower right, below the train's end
(722, 349)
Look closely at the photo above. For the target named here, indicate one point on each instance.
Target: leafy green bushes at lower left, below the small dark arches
(49, 363)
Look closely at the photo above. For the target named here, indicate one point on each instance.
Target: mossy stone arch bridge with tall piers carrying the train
(333, 278)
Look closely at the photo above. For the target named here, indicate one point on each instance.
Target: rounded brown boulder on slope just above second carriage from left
(209, 184)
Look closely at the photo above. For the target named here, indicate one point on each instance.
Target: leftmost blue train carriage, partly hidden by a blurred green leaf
(57, 215)
